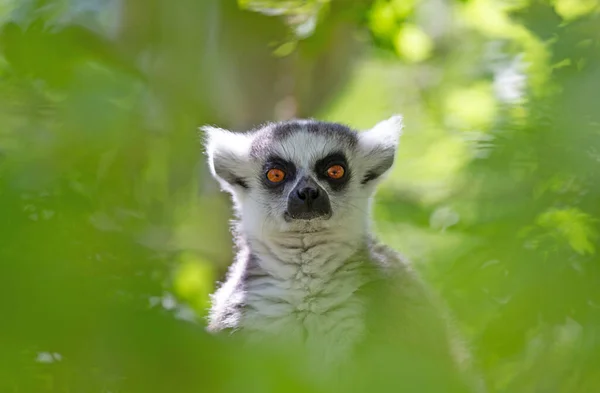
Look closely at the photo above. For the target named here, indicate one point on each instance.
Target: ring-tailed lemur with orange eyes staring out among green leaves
(308, 264)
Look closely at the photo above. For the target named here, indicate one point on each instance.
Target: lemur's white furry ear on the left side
(228, 156)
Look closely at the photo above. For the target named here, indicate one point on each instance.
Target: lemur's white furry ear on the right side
(378, 146)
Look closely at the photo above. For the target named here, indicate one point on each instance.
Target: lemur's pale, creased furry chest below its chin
(308, 296)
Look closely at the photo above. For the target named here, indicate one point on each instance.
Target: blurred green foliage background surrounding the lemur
(112, 233)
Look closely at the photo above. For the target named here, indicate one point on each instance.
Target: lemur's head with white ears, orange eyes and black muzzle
(302, 175)
